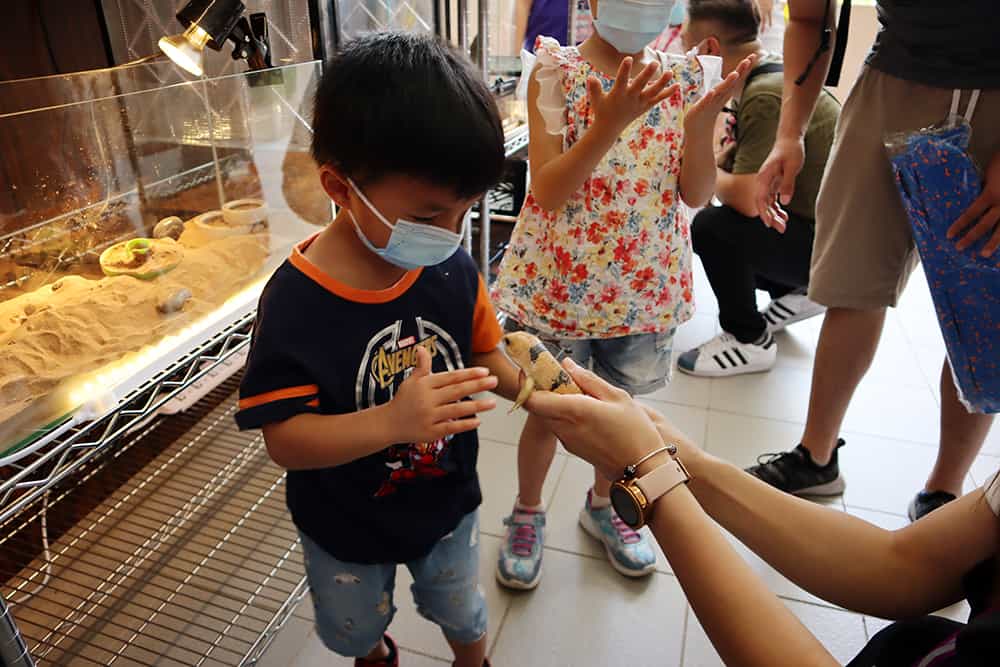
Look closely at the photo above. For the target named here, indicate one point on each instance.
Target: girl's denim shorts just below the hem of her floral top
(639, 364)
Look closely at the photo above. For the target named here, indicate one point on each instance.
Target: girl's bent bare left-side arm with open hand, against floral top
(556, 176)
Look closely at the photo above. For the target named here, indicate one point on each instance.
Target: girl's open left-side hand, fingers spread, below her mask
(627, 100)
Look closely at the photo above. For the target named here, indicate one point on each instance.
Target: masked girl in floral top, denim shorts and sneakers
(599, 265)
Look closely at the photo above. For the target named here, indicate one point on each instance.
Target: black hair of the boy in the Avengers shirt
(401, 103)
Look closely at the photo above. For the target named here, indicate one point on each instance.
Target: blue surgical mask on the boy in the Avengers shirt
(411, 244)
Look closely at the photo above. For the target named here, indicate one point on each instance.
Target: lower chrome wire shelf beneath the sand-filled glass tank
(191, 560)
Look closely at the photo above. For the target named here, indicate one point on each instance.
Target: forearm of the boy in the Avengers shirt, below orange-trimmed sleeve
(308, 441)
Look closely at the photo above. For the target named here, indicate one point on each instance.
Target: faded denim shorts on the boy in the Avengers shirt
(354, 605)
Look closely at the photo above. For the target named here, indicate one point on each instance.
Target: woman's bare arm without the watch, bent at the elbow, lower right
(840, 558)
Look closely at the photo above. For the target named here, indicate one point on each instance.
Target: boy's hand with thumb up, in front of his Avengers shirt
(429, 406)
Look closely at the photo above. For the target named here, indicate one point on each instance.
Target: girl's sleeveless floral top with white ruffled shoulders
(615, 259)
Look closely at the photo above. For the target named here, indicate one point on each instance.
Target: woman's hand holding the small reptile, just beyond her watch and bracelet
(604, 426)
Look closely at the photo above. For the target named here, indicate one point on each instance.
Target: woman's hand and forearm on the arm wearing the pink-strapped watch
(746, 622)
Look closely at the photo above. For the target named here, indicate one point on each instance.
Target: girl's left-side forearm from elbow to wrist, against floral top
(562, 176)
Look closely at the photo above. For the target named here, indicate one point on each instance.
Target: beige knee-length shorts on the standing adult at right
(864, 250)
